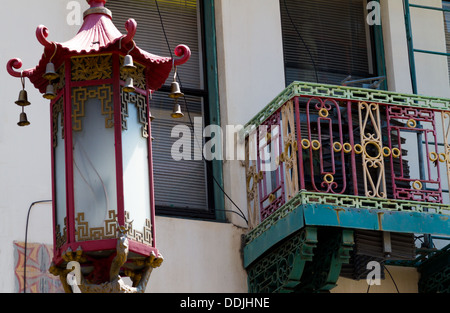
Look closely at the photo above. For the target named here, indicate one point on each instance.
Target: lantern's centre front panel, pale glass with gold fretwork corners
(93, 158)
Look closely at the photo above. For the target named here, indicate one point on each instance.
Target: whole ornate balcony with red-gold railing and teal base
(340, 176)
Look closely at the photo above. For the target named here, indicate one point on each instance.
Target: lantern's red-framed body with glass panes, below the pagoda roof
(102, 163)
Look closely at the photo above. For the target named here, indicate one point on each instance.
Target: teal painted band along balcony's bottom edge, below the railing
(350, 218)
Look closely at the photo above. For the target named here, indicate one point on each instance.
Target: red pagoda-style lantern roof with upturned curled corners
(99, 34)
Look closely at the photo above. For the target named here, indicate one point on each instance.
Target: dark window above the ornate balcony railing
(326, 41)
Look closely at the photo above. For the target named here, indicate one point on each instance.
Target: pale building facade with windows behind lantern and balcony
(244, 55)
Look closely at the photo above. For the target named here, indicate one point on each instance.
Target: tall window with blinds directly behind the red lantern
(181, 187)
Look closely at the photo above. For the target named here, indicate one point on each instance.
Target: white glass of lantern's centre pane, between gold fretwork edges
(94, 166)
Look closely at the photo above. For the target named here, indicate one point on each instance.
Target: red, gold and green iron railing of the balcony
(347, 147)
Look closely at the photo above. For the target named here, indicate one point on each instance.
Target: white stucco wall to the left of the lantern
(25, 152)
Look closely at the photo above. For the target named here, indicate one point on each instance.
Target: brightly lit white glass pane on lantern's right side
(136, 178)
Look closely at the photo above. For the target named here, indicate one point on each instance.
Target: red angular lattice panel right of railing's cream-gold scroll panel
(423, 183)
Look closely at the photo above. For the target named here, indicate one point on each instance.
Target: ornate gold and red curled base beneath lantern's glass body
(115, 284)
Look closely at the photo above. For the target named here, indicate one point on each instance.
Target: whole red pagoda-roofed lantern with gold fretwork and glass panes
(103, 201)
